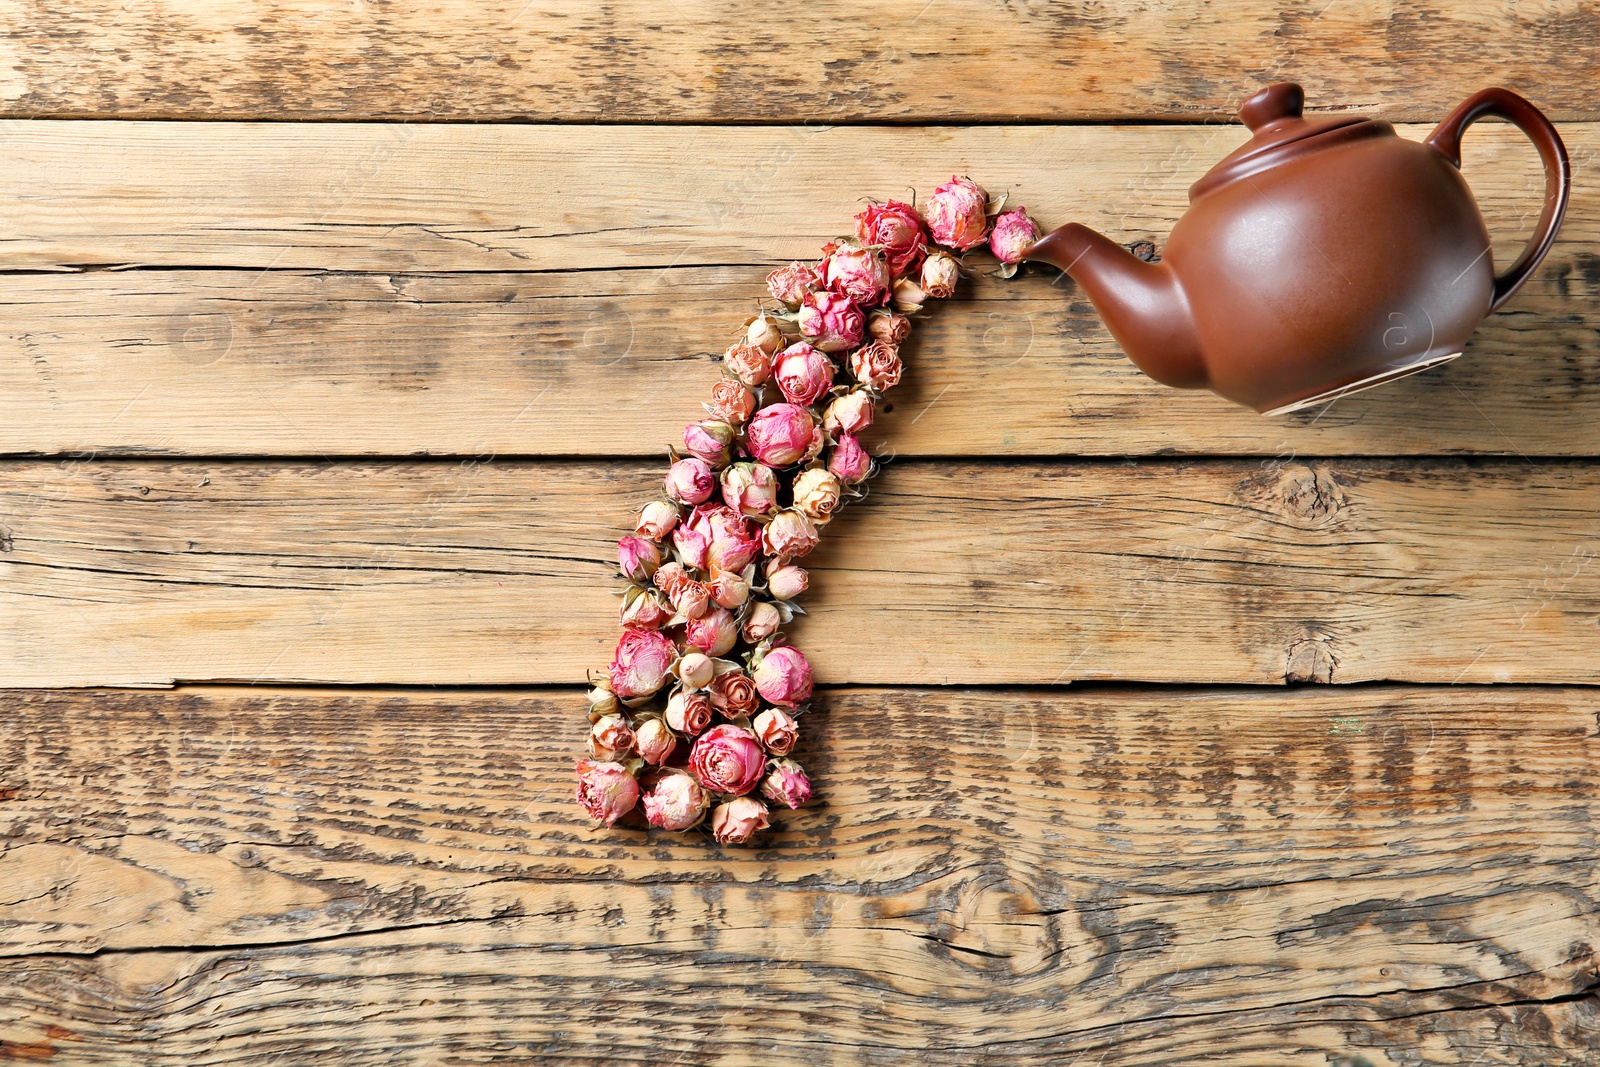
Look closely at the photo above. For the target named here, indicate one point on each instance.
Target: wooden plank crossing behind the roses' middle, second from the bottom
(479, 572)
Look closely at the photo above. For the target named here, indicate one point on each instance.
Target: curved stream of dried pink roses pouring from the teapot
(697, 713)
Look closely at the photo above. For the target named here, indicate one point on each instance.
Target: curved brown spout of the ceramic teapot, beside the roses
(1143, 305)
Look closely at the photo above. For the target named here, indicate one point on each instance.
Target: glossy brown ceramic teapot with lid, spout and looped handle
(1324, 257)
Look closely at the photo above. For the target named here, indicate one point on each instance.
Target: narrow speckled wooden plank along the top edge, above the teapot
(902, 60)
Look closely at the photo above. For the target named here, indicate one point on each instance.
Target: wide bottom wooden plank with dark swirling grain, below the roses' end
(1121, 876)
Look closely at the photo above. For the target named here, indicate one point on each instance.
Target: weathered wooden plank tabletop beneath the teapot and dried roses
(340, 340)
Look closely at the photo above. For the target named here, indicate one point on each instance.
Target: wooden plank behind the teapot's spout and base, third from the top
(614, 362)
